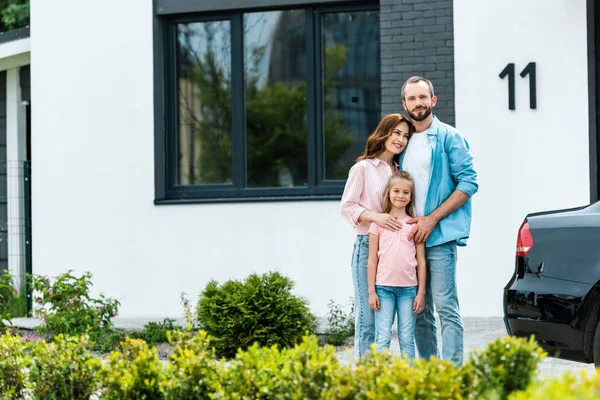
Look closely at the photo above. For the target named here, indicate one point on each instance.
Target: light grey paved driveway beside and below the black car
(480, 331)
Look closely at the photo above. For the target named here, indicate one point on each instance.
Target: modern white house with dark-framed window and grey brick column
(178, 141)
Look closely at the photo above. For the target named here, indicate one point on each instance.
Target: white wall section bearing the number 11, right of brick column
(527, 160)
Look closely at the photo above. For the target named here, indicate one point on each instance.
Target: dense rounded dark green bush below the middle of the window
(262, 309)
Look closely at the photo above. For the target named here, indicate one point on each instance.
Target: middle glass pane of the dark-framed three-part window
(275, 81)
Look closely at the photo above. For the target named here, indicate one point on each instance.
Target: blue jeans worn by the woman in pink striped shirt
(364, 333)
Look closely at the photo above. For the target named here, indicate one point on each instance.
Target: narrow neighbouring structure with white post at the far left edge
(15, 153)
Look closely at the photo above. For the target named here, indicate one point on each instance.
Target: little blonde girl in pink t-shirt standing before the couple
(396, 265)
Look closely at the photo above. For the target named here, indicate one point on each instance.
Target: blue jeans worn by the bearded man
(441, 291)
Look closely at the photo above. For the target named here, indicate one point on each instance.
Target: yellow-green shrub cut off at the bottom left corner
(14, 360)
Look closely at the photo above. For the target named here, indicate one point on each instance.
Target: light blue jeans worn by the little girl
(396, 300)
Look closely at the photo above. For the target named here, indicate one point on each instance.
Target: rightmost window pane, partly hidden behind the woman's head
(351, 86)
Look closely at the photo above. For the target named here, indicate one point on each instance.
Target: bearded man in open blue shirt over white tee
(441, 164)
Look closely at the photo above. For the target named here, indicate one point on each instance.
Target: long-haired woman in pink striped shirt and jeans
(361, 206)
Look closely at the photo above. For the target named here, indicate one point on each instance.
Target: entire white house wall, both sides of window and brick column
(93, 161)
